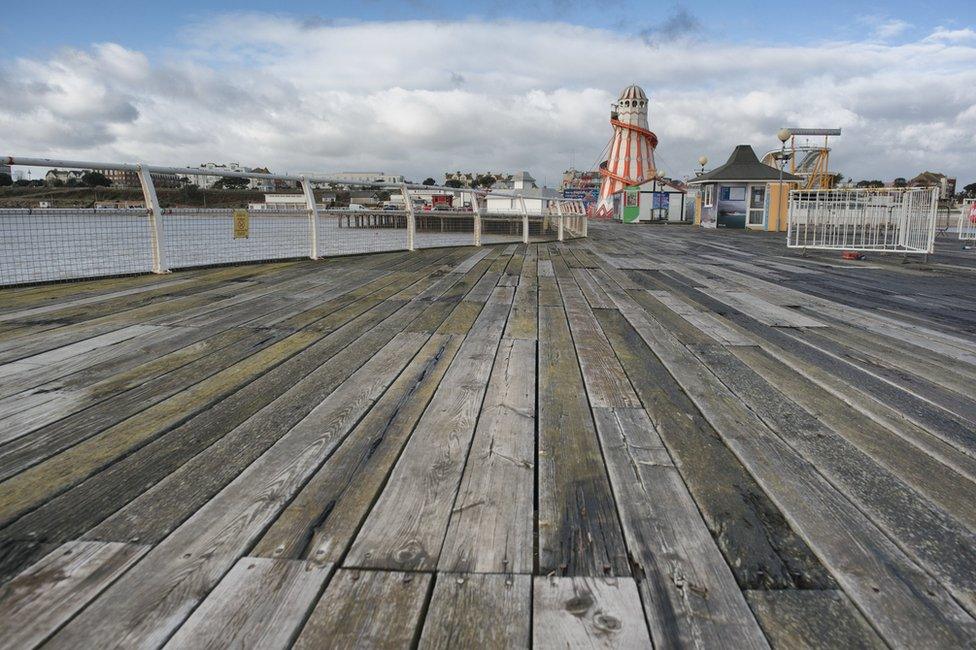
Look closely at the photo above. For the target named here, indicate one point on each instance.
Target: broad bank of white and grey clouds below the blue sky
(424, 97)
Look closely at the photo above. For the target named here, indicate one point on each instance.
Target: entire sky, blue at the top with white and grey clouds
(423, 87)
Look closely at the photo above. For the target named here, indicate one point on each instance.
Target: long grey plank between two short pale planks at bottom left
(151, 601)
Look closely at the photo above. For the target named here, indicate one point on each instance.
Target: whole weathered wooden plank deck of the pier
(656, 435)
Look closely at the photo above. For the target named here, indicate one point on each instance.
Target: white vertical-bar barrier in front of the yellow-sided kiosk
(894, 220)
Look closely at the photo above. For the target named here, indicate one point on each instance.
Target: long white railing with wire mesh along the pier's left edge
(38, 245)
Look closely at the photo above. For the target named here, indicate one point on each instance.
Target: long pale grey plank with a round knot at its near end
(406, 527)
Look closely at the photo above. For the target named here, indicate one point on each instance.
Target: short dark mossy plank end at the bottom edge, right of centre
(811, 619)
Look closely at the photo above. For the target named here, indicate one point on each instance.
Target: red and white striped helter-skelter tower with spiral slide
(631, 159)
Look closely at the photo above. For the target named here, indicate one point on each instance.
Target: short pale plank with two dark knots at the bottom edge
(587, 612)
